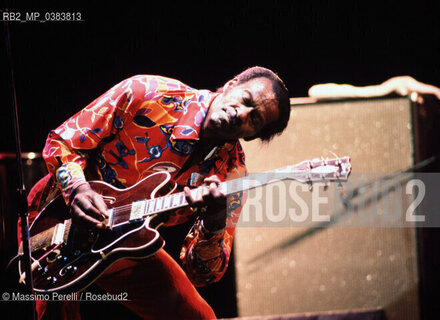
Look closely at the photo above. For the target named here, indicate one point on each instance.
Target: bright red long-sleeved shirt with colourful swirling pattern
(140, 126)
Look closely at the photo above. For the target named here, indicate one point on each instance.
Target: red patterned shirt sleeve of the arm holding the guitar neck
(204, 255)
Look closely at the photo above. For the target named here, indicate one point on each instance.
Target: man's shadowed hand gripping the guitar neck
(212, 200)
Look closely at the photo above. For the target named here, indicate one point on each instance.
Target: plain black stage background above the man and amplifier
(62, 66)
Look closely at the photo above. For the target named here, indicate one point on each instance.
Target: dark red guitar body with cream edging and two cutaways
(81, 256)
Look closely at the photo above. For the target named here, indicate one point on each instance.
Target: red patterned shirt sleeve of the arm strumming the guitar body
(66, 147)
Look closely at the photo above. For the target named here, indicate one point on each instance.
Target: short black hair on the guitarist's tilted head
(281, 94)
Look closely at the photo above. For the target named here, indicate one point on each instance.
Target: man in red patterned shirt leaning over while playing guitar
(144, 125)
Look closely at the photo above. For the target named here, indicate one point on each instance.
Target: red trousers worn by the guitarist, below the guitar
(156, 288)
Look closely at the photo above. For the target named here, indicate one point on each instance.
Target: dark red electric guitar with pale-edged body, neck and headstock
(68, 259)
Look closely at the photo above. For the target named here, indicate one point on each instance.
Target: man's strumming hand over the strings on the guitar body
(87, 207)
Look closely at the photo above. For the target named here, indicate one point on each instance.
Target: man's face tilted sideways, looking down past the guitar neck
(241, 111)
